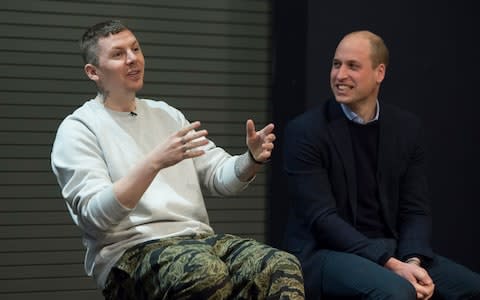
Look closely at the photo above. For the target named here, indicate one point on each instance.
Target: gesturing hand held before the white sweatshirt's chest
(181, 145)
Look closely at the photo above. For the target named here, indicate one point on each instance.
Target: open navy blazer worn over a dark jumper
(319, 163)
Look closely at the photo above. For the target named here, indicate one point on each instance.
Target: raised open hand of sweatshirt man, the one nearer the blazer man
(260, 143)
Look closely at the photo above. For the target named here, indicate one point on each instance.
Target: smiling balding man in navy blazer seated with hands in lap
(360, 222)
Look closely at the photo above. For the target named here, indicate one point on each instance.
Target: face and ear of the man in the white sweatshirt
(120, 70)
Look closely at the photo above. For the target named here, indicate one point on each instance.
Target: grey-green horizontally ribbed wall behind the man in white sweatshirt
(209, 58)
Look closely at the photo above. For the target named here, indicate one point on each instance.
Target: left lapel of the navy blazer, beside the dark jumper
(338, 128)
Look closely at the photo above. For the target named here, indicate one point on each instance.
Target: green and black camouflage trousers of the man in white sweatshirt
(219, 266)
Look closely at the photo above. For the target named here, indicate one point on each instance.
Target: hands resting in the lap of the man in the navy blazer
(415, 274)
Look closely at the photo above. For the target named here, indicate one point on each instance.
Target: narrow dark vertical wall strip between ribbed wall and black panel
(289, 39)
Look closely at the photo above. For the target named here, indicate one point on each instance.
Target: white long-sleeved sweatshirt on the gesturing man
(95, 147)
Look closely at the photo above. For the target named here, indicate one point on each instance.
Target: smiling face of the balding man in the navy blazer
(354, 80)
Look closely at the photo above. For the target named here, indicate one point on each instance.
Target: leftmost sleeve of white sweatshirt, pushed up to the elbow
(79, 165)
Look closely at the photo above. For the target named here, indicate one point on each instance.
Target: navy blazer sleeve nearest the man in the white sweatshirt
(309, 186)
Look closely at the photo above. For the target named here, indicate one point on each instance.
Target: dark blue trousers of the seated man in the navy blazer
(337, 275)
